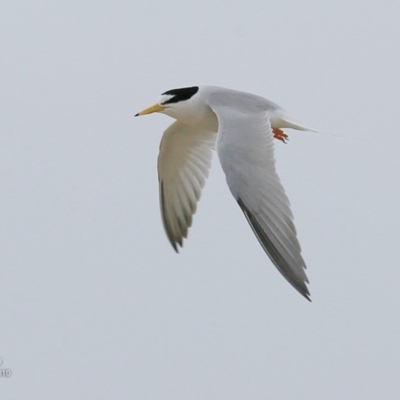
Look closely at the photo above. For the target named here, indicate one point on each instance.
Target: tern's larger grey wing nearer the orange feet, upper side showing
(246, 152)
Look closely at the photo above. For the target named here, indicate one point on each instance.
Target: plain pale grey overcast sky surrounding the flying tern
(94, 302)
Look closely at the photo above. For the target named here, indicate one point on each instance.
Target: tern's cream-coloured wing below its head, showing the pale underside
(183, 166)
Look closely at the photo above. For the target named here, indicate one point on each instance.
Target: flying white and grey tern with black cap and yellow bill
(242, 127)
